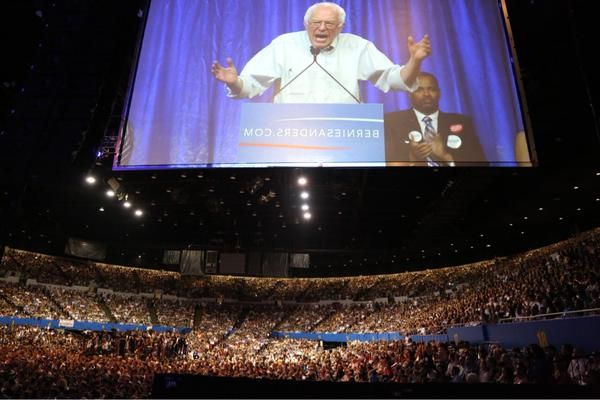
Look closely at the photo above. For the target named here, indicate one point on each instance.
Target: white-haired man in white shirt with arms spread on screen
(349, 58)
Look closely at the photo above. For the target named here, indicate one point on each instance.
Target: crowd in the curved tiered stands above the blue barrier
(554, 280)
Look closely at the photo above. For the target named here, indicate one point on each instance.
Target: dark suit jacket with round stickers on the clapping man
(400, 123)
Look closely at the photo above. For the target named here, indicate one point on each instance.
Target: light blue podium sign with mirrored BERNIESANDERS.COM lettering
(311, 135)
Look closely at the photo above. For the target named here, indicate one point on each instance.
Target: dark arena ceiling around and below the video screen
(63, 85)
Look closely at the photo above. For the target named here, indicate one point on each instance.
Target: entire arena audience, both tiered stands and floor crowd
(231, 333)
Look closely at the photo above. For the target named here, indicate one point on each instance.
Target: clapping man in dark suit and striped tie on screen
(426, 136)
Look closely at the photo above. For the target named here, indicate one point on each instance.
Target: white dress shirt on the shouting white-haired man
(350, 59)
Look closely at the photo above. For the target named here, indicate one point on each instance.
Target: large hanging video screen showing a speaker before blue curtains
(230, 83)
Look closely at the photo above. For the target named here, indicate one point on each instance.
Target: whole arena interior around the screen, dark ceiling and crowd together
(467, 282)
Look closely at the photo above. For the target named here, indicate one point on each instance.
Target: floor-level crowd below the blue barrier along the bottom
(51, 363)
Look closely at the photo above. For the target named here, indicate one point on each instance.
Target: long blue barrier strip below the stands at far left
(85, 325)
